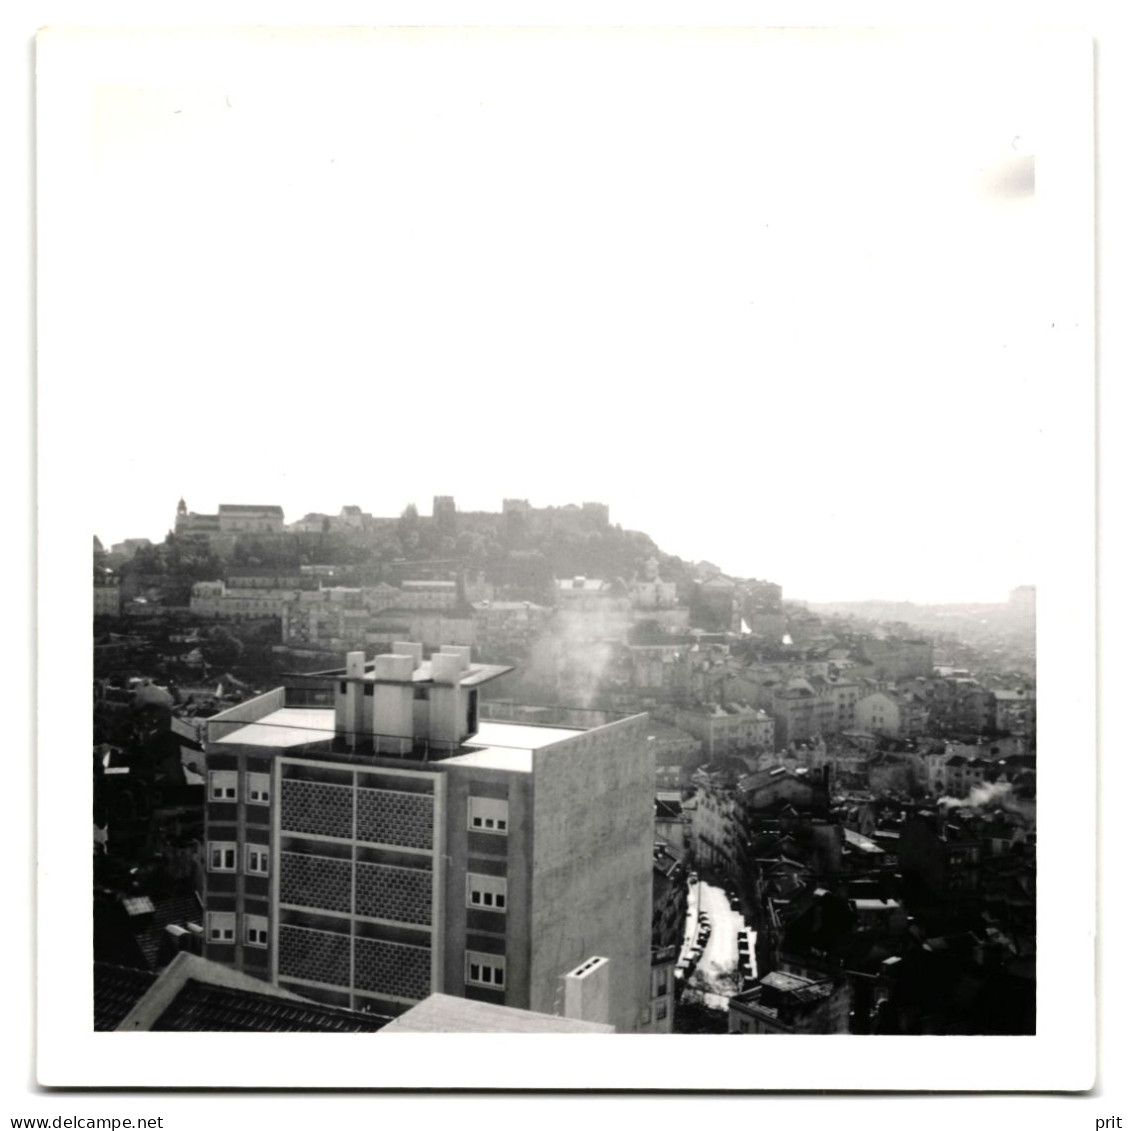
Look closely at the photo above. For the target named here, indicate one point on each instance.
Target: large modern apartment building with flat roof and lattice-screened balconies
(370, 841)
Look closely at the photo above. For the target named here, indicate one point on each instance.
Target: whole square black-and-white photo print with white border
(591, 536)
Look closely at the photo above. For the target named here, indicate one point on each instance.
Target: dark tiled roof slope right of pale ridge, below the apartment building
(203, 1008)
